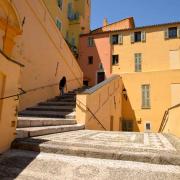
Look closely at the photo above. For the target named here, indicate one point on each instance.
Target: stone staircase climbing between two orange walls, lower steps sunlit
(53, 116)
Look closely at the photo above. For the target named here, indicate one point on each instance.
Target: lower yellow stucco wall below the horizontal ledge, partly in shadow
(160, 97)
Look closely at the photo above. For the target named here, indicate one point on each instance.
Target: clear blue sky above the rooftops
(145, 12)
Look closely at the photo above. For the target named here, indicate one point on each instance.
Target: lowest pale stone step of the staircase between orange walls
(39, 131)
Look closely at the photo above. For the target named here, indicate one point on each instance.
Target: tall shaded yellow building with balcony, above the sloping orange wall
(72, 17)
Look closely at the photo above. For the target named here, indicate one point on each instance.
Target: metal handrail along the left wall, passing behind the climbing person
(34, 89)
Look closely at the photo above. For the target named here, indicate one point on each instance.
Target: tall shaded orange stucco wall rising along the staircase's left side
(45, 54)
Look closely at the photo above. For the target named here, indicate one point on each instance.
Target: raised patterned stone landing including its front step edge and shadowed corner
(143, 147)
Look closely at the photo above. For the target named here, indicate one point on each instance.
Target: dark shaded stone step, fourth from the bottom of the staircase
(53, 108)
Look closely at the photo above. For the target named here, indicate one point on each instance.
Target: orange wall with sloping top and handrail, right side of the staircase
(104, 103)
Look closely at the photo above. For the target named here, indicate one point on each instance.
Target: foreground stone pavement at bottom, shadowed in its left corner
(26, 165)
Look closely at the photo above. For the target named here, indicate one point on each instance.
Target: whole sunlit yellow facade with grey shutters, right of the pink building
(149, 64)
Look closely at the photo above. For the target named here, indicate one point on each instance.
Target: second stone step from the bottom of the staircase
(38, 122)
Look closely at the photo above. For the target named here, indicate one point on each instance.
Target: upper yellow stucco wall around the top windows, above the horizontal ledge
(155, 51)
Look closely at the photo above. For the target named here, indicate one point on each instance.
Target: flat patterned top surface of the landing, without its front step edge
(131, 141)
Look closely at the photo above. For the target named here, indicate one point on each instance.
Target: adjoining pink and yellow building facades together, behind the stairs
(148, 60)
